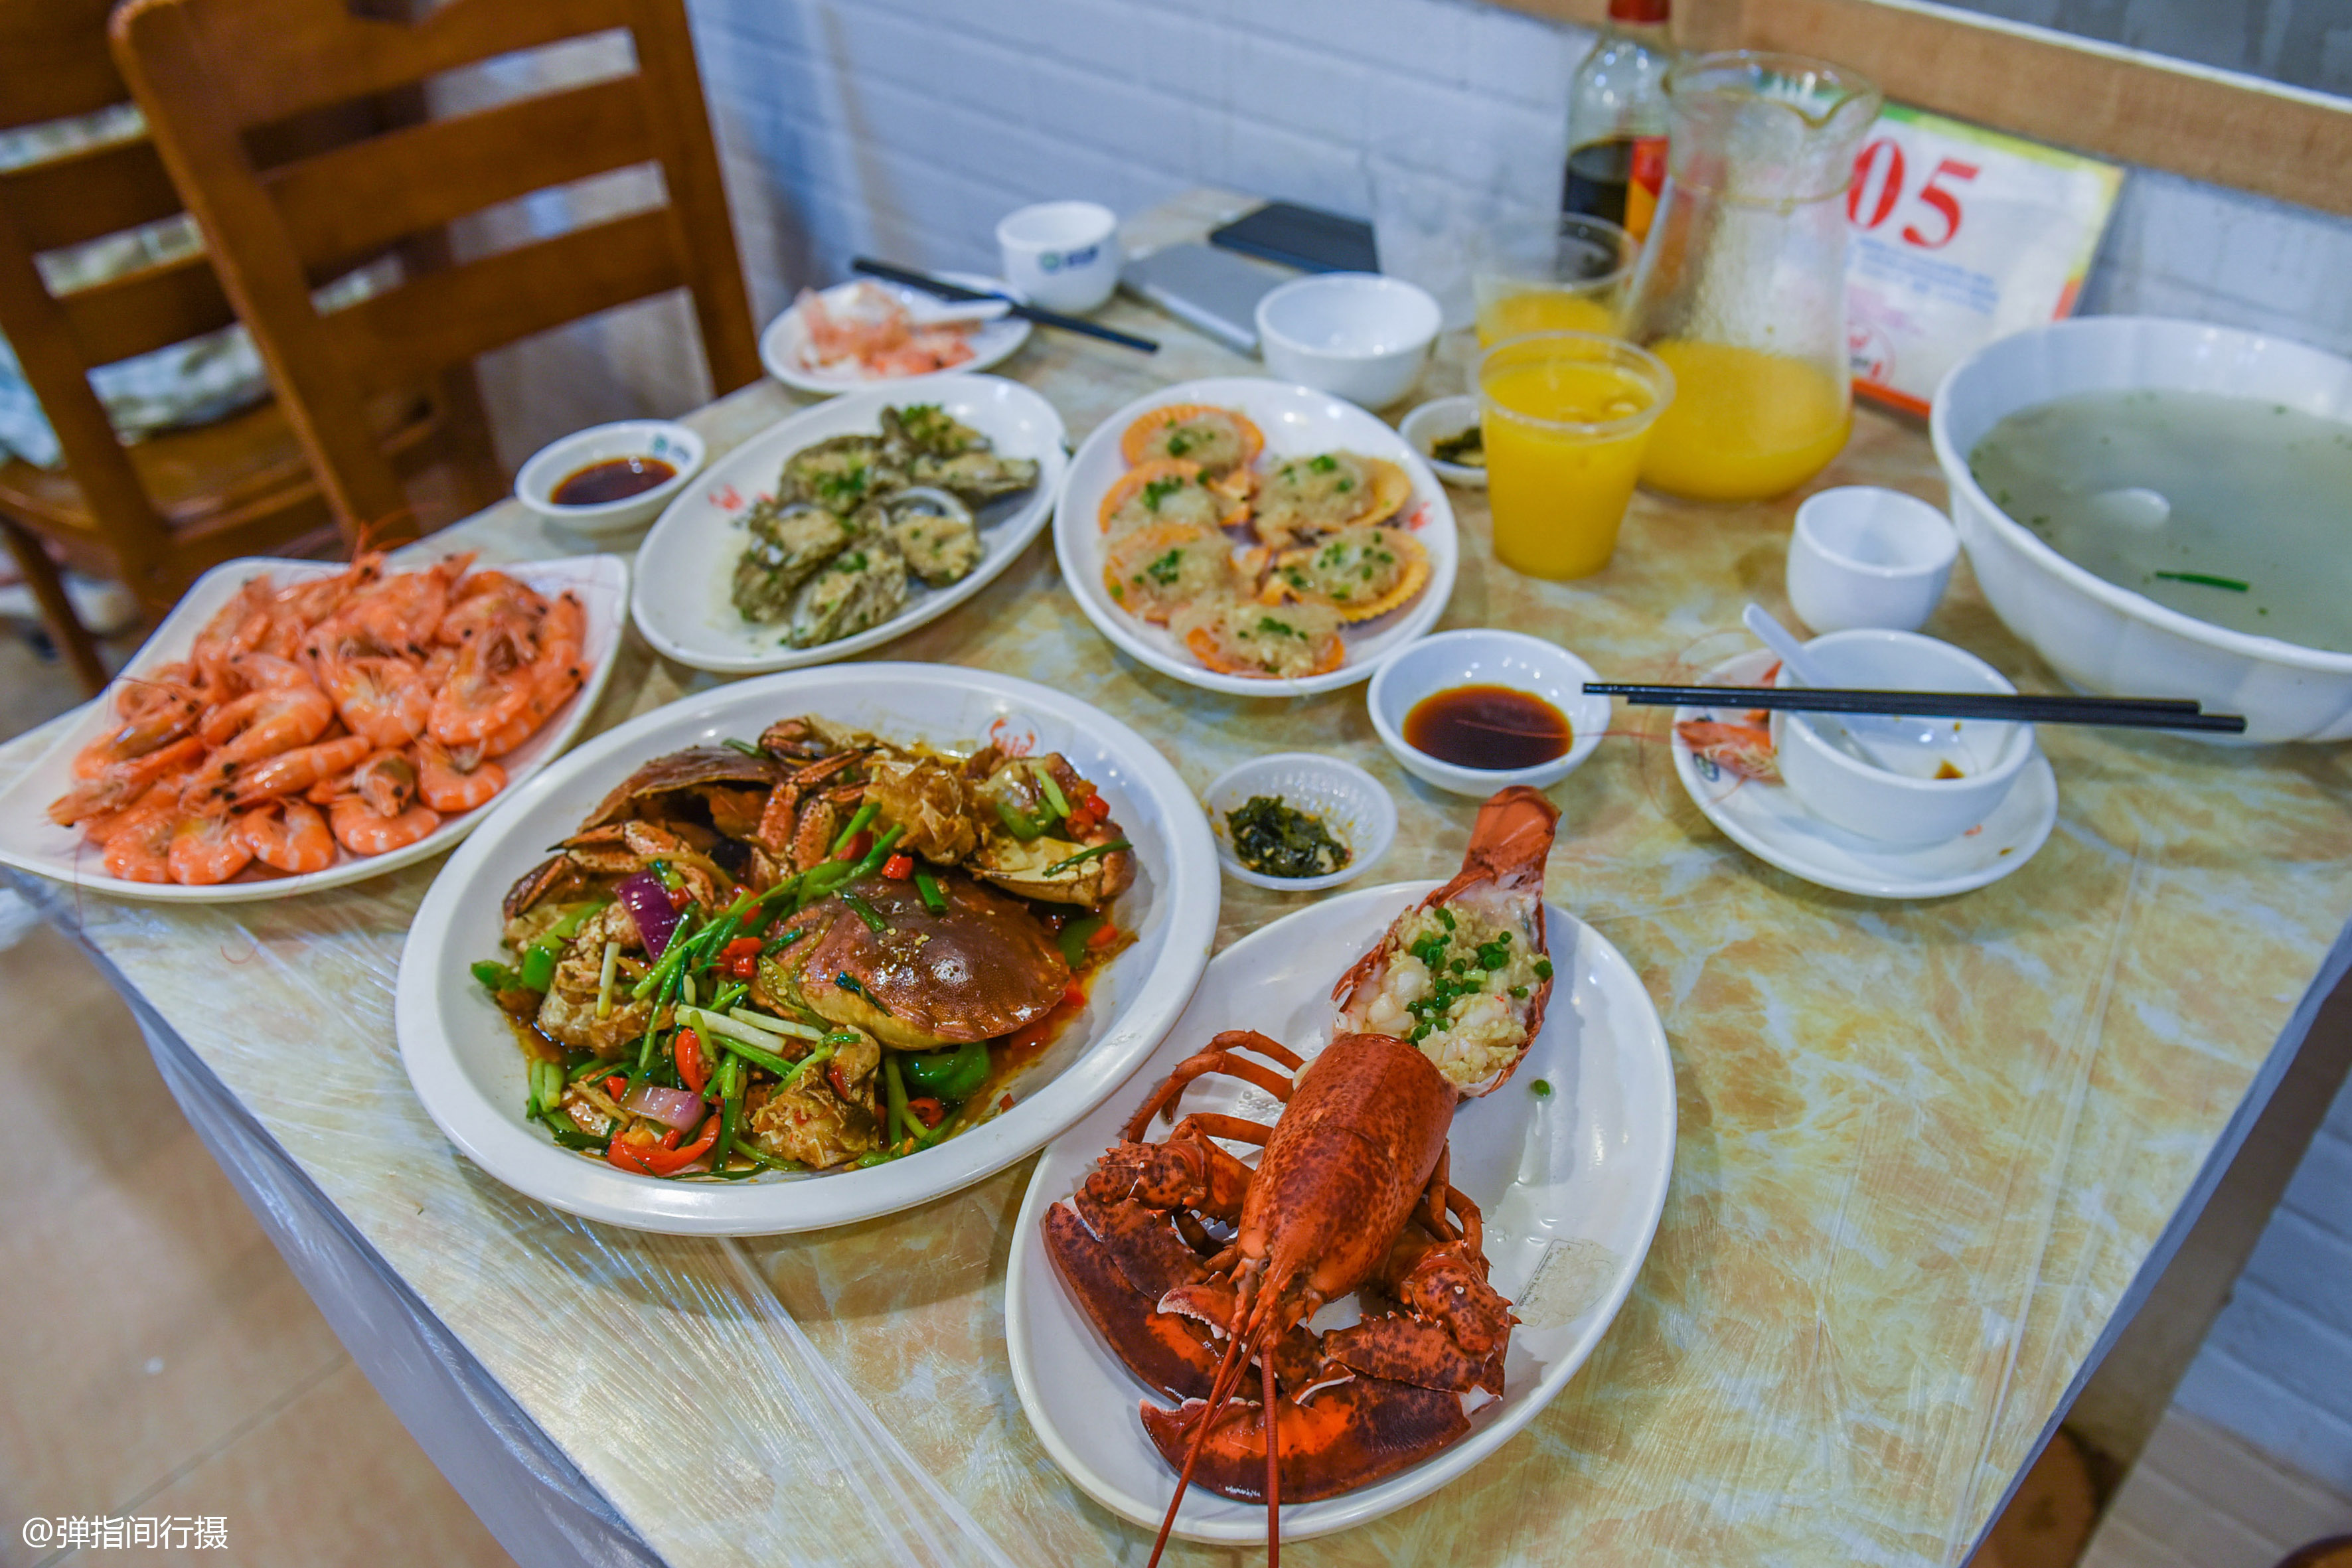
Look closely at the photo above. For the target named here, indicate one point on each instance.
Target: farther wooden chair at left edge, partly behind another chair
(166, 509)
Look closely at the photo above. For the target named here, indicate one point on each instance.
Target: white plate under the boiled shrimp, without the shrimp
(32, 843)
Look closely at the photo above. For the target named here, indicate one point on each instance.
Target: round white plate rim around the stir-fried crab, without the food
(472, 1078)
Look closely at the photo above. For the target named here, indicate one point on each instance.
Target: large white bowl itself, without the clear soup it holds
(2097, 636)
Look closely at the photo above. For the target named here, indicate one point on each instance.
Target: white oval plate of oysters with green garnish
(850, 523)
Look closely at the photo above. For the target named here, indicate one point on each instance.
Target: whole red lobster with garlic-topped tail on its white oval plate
(1391, 1177)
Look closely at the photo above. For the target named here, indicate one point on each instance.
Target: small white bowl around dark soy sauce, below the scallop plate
(1488, 659)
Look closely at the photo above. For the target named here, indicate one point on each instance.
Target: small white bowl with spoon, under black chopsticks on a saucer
(1878, 803)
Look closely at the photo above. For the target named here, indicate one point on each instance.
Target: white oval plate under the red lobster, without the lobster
(1570, 1186)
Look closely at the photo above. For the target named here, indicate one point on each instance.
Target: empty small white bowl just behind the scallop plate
(1356, 335)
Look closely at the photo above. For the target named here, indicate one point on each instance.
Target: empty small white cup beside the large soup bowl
(1869, 558)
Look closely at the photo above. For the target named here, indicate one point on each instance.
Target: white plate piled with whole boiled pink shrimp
(307, 725)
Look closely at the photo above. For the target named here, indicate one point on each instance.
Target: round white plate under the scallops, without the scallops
(1297, 420)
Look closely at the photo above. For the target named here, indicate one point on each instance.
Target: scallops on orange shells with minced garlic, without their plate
(1252, 561)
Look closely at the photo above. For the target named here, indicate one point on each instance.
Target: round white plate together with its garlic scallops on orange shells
(1255, 537)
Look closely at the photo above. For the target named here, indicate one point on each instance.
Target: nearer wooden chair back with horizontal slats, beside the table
(215, 74)
